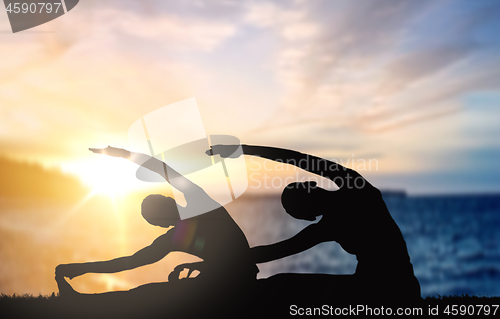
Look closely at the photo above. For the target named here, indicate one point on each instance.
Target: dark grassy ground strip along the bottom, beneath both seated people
(28, 306)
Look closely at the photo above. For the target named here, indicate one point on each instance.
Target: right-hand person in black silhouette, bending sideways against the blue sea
(355, 216)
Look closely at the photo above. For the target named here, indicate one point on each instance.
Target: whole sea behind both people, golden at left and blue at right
(453, 242)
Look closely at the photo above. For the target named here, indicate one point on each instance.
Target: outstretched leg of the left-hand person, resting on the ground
(186, 297)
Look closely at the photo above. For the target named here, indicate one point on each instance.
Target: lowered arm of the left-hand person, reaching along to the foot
(148, 255)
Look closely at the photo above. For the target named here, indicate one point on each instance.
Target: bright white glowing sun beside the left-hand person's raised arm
(107, 175)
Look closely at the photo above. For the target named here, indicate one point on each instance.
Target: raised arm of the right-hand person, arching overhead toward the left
(310, 163)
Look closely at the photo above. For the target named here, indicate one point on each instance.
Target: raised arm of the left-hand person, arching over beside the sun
(169, 174)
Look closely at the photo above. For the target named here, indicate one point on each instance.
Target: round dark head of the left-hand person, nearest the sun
(159, 210)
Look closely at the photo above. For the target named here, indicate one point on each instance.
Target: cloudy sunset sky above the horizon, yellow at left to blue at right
(413, 84)
